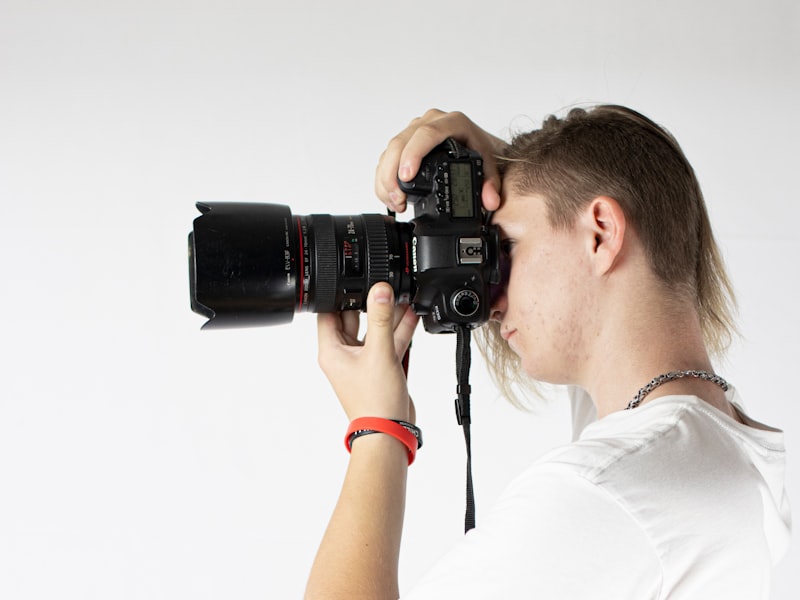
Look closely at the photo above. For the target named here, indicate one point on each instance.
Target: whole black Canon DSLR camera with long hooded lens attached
(256, 264)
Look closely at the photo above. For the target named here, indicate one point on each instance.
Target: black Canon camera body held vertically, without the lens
(455, 252)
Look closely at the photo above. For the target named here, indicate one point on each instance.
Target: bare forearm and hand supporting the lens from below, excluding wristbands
(359, 553)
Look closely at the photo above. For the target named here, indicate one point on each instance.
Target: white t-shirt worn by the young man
(671, 500)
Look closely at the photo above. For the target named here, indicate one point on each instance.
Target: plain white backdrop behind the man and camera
(143, 459)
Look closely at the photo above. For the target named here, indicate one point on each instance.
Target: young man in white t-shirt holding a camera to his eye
(616, 287)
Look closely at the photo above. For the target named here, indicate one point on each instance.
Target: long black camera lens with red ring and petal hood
(256, 264)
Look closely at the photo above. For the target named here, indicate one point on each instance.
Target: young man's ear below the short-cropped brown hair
(605, 221)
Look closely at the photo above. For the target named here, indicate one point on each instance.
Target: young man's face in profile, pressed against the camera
(546, 307)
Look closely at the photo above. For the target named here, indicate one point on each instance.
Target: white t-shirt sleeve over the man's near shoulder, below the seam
(552, 534)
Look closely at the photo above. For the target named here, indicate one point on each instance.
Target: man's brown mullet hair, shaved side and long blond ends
(617, 152)
